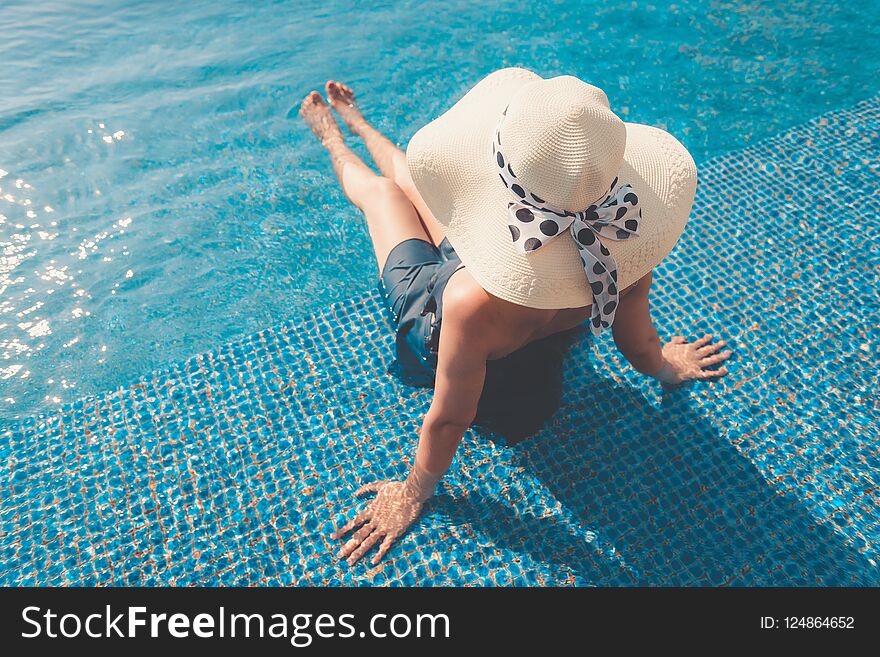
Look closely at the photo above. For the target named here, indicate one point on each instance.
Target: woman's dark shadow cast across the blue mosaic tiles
(678, 506)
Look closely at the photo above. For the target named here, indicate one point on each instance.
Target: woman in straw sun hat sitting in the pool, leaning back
(526, 209)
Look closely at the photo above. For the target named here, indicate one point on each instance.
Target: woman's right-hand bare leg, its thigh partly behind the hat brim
(388, 157)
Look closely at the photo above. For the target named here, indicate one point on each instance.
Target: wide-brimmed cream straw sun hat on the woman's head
(564, 152)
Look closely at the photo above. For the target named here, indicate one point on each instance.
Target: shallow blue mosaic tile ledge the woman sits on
(230, 468)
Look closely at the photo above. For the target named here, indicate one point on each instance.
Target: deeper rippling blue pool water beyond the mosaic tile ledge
(158, 199)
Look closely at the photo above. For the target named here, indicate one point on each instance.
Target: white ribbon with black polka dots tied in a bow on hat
(533, 222)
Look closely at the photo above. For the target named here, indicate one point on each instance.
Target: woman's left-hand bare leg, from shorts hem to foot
(391, 217)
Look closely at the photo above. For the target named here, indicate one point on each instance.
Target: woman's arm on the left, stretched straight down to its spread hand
(461, 371)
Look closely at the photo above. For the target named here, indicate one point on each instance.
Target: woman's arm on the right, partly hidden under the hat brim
(677, 361)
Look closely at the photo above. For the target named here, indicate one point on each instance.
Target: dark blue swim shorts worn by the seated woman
(412, 283)
